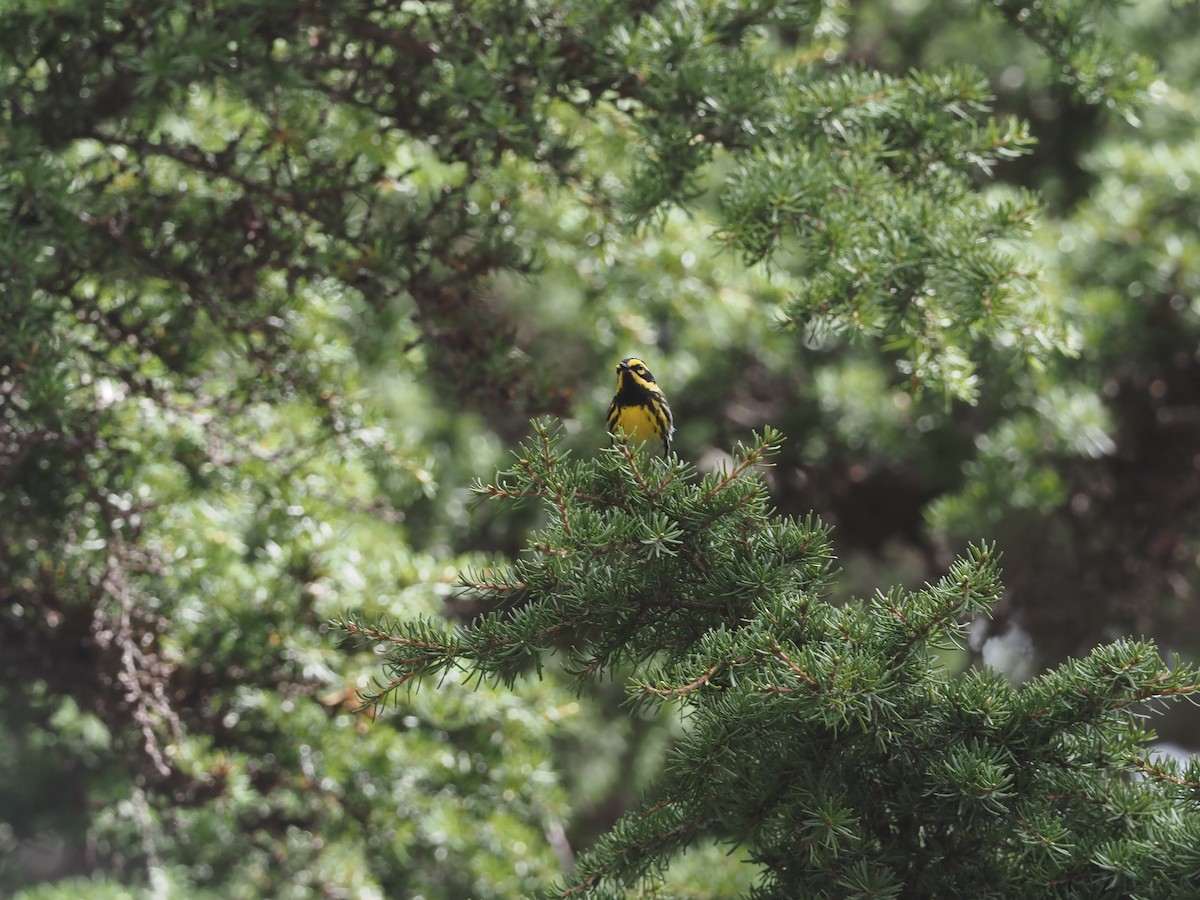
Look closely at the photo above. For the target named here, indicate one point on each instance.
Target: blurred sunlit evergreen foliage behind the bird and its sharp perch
(279, 281)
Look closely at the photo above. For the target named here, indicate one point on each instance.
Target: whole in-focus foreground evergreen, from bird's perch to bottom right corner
(829, 743)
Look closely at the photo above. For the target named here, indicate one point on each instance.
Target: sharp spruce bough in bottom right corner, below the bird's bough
(803, 698)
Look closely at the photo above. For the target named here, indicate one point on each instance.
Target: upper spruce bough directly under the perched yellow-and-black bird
(634, 560)
